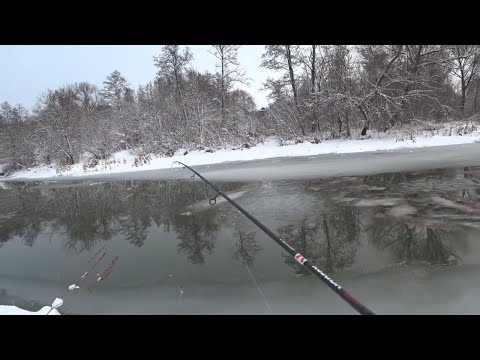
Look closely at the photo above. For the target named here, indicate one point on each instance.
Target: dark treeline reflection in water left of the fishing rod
(84, 214)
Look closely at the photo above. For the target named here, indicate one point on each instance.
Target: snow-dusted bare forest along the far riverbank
(319, 92)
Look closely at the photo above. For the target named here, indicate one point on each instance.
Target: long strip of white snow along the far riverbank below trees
(124, 161)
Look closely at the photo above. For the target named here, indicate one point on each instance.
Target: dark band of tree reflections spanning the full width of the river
(416, 217)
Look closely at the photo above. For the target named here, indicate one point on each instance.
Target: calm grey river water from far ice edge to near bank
(402, 243)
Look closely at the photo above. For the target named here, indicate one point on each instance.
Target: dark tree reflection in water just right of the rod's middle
(330, 243)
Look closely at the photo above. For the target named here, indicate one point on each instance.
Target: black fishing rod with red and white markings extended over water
(357, 305)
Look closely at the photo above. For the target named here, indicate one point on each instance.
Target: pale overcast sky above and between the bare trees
(28, 70)
